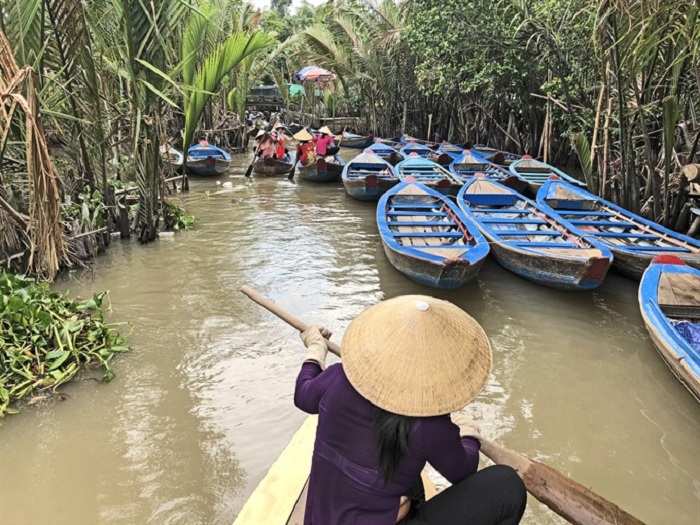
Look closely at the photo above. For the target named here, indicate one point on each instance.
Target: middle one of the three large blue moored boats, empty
(529, 241)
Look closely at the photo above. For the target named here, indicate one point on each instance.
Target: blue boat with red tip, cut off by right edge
(669, 299)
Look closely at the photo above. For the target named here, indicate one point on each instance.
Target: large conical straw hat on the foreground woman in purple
(418, 356)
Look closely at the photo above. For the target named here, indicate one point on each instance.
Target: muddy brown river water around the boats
(203, 405)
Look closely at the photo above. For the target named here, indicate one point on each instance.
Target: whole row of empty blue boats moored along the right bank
(439, 223)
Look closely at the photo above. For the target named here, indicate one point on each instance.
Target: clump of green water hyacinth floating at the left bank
(47, 338)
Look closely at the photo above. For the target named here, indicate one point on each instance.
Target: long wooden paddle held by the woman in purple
(571, 500)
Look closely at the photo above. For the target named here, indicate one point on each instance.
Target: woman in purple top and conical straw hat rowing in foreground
(409, 365)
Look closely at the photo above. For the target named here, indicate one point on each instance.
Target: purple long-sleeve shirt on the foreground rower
(347, 486)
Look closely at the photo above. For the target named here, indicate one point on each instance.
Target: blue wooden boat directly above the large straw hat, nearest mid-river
(427, 238)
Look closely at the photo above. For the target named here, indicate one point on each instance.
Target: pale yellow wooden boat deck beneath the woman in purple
(280, 498)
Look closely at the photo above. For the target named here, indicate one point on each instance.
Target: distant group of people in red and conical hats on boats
(309, 147)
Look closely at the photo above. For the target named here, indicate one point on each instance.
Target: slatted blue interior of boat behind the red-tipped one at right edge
(612, 226)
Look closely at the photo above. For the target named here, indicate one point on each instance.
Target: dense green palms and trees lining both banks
(91, 90)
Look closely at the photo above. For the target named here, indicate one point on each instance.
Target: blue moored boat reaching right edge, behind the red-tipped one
(633, 240)
